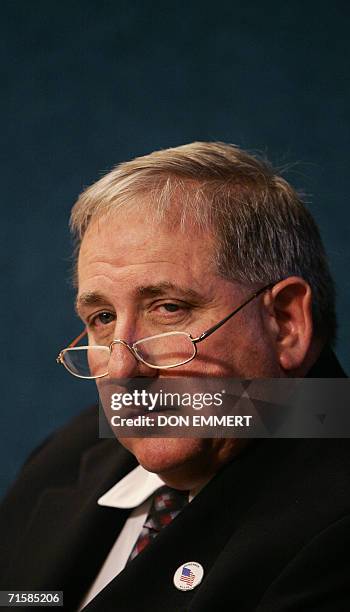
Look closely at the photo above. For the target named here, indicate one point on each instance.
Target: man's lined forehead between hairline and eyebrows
(129, 249)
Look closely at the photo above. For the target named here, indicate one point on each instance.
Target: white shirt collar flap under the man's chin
(132, 490)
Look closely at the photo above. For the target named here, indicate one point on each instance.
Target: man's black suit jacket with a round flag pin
(271, 530)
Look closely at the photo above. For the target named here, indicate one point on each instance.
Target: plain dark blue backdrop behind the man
(87, 84)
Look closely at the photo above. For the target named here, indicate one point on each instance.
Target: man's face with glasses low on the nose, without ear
(137, 280)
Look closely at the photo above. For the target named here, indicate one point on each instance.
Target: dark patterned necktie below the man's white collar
(166, 504)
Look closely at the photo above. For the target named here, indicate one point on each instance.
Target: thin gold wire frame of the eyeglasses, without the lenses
(131, 347)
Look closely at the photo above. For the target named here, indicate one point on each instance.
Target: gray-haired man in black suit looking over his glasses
(174, 242)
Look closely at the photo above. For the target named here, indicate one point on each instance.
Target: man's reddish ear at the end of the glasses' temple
(290, 308)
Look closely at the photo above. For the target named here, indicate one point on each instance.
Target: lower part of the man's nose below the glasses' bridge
(124, 364)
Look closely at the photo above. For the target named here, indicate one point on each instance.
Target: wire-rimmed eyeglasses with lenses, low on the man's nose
(163, 351)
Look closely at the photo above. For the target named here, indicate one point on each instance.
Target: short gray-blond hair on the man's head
(263, 231)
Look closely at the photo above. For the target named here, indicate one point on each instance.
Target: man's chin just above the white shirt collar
(164, 455)
